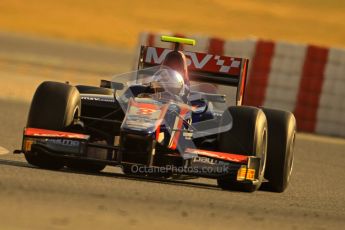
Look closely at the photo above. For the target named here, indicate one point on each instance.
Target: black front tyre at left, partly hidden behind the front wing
(54, 106)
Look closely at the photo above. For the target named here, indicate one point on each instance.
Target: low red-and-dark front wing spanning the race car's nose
(203, 163)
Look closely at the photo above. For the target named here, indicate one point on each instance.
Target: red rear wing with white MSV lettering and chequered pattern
(203, 67)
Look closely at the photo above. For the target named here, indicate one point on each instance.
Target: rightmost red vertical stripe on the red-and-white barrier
(310, 88)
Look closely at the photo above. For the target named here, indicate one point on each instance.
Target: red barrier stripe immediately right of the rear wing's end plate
(259, 74)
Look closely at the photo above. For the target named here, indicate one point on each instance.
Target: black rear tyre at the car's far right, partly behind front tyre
(281, 141)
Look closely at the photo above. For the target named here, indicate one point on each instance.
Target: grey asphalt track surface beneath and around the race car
(33, 198)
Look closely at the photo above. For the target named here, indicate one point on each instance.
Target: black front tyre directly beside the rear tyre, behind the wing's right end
(248, 135)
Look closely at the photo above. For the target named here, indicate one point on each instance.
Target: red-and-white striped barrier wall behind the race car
(305, 79)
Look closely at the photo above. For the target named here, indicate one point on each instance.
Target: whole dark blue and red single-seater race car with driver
(166, 119)
